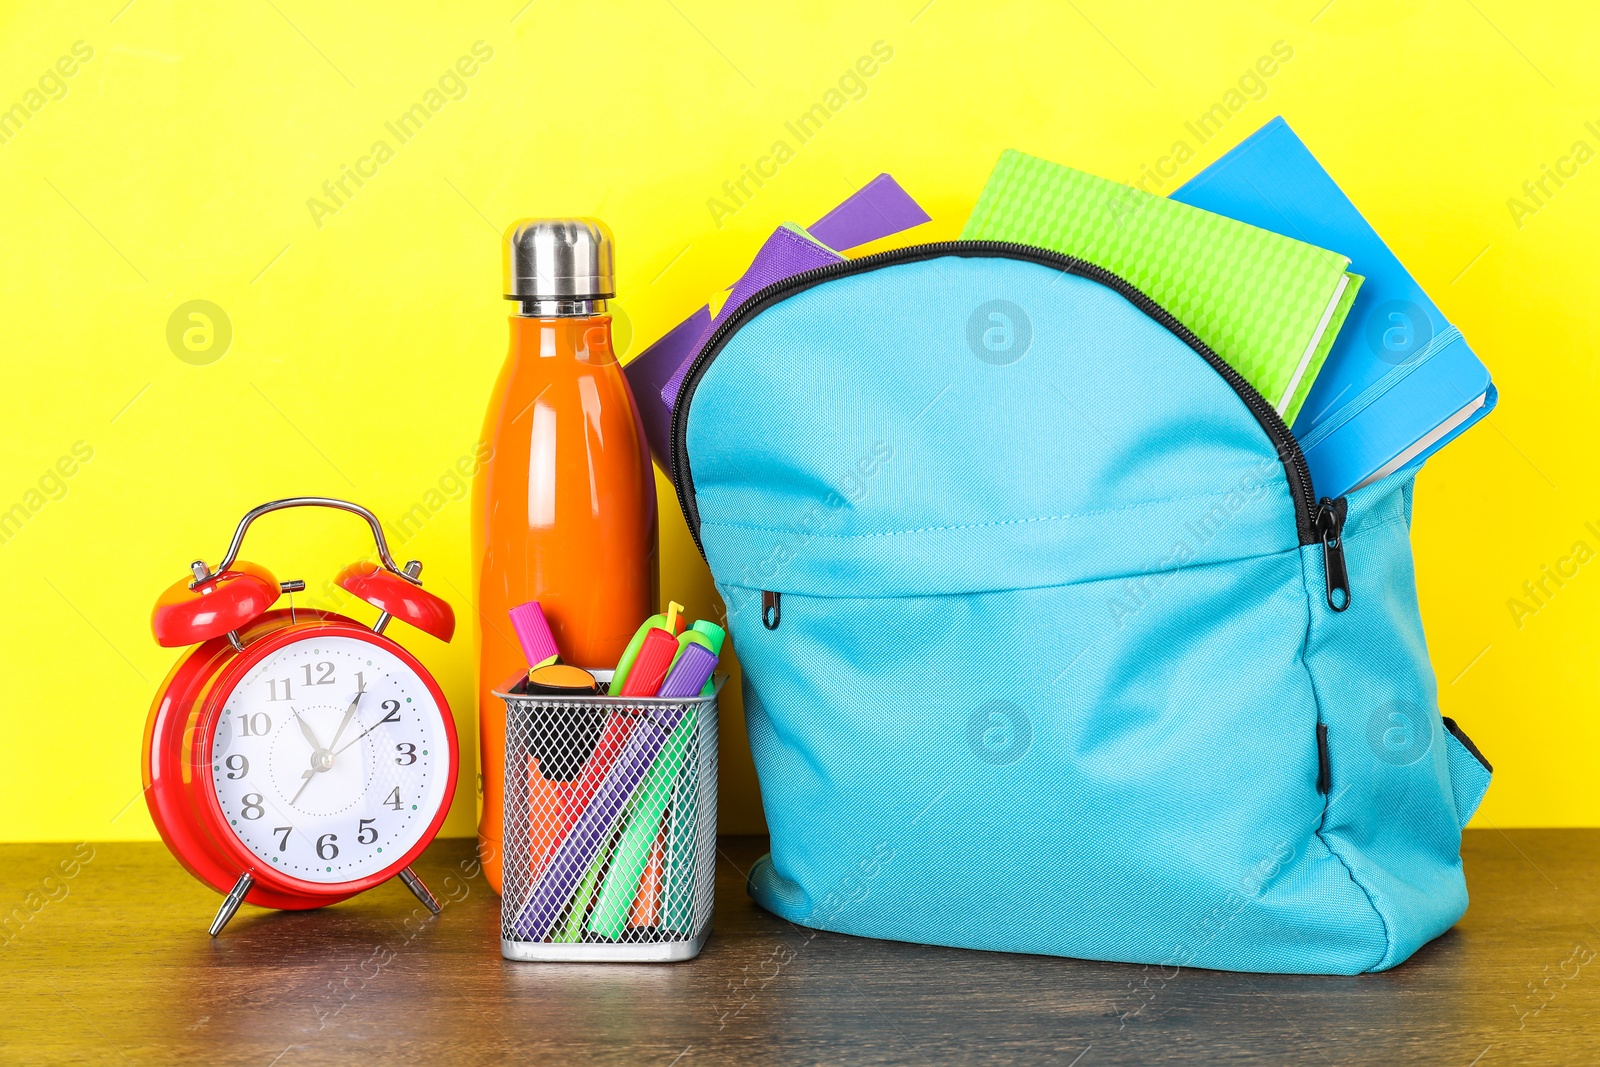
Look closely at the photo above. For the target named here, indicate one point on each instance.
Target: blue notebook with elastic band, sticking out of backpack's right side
(1401, 383)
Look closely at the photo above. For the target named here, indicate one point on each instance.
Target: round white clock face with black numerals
(330, 759)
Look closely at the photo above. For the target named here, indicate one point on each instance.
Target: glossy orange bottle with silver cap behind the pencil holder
(564, 511)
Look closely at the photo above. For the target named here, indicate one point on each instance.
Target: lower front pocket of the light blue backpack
(1134, 783)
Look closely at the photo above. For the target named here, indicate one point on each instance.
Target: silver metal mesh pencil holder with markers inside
(610, 836)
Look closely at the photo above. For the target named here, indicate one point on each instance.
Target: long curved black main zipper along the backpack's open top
(1289, 450)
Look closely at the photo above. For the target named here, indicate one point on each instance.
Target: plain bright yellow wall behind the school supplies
(180, 162)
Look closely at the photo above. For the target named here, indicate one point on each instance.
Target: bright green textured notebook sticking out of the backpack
(1268, 305)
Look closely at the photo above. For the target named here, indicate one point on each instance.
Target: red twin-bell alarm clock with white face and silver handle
(292, 757)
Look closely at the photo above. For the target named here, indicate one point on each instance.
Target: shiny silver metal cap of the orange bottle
(559, 260)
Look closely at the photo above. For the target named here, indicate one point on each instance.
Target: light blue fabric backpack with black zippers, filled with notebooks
(1047, 642)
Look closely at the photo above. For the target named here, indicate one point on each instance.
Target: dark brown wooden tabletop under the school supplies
(113, 967)
